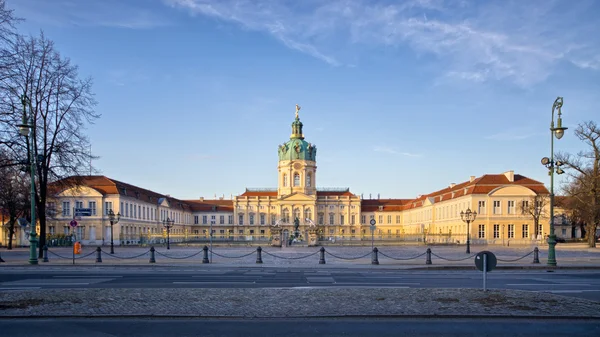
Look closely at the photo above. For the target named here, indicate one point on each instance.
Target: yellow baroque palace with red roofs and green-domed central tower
(297, 205)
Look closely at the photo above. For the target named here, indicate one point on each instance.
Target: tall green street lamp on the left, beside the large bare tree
(24, 130)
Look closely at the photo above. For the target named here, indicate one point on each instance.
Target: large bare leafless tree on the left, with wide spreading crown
(60, 105)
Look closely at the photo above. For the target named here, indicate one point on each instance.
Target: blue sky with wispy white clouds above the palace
(400, 97)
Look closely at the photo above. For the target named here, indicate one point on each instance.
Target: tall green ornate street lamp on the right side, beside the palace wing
(557, 132)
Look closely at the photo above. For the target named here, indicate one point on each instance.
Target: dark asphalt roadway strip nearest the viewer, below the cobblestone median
(299, 327)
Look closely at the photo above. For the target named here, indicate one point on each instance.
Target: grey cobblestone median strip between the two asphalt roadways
(279, 302)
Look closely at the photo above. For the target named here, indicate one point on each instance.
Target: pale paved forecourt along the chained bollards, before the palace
(574, 256)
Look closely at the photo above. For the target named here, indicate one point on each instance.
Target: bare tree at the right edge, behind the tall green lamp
(584, 173)
